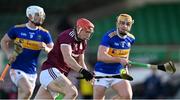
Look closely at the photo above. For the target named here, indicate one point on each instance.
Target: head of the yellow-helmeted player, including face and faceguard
(124, 19)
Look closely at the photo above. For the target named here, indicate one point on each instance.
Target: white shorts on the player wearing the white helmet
(16, 75)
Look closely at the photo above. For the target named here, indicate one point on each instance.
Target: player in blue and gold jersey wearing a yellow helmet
(113, 54)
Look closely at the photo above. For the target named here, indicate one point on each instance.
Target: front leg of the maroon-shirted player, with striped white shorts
(55, 82)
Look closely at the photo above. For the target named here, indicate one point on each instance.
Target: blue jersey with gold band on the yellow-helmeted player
(118, 47)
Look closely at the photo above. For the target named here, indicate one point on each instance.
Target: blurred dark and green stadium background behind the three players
(156, 28)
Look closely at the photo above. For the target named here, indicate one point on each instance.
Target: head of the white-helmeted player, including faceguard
(33, 11)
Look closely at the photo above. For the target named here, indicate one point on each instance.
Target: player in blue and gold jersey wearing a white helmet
(33, 38)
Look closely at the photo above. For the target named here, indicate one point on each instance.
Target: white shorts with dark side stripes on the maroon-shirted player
(47, 76)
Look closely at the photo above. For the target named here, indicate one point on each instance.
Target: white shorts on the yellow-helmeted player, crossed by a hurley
(106, 82)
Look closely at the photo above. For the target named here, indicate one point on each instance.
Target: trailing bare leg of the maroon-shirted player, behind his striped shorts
(43, 94)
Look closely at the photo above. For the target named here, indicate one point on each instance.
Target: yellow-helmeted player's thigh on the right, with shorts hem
(123, 89)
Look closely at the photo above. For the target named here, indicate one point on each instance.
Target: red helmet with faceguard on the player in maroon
(83, 24)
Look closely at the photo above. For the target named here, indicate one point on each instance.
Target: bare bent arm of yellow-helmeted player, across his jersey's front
(105, 57)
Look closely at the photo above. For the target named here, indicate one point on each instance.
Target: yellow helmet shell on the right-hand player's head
(125, 18)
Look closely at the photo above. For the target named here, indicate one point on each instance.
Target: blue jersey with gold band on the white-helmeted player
(27, 60)
